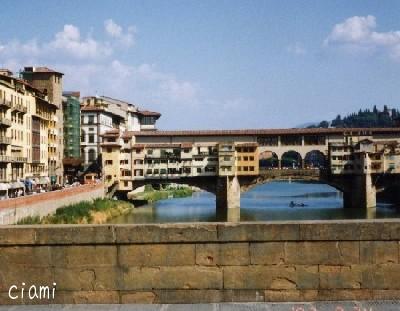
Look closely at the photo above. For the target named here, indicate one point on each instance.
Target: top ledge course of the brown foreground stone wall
(324, 230)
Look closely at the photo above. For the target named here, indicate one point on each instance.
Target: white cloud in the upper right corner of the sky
(358, 33)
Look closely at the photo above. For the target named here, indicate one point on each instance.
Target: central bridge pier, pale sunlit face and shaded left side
(228, 198)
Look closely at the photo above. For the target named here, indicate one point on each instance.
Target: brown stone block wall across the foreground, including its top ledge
(194, 263)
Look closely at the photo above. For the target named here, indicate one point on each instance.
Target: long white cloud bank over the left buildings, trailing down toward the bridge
(91, 66)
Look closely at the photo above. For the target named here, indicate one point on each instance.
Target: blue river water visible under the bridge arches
(265, 202)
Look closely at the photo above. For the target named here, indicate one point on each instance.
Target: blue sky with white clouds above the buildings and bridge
(215, 64)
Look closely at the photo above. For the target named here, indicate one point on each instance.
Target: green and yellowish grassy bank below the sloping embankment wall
(96, 212)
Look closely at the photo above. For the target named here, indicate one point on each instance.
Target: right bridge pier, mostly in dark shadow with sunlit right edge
(360, 192)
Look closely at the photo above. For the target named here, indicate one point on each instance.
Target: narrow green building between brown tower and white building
(72, 131)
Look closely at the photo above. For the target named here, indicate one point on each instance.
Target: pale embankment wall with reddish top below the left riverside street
(42, 204)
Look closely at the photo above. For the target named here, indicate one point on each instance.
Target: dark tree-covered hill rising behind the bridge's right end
(365, 119)
